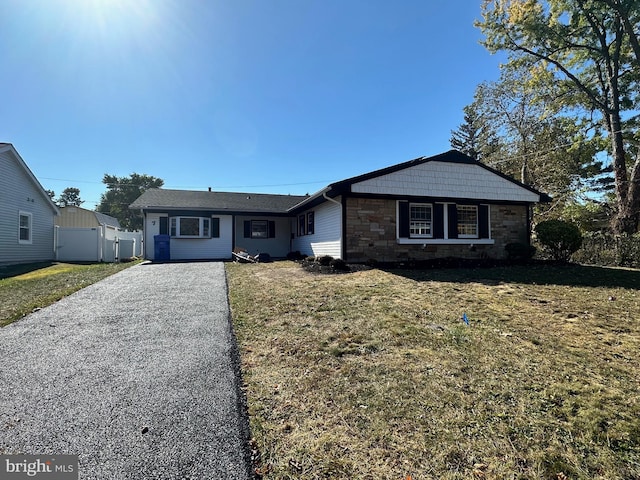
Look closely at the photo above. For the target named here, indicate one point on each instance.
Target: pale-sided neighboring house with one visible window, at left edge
(26, 212)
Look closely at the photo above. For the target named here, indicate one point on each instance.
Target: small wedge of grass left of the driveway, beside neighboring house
(25, 288)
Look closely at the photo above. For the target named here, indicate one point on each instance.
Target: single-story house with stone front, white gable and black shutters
(448, 205)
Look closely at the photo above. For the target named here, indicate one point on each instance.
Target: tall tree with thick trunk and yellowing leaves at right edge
(591, 48)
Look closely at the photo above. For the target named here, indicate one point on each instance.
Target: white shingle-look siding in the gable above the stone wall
(446, 180)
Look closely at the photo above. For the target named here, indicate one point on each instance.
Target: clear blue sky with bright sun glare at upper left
(273, 96)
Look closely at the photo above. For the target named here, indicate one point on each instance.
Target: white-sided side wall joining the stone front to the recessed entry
(326, 239)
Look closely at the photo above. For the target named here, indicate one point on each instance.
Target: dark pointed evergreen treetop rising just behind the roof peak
(473, 137)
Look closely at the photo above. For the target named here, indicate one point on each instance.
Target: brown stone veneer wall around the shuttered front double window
(371, 234)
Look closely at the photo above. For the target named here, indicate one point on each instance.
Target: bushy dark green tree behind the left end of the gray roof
(121, 192)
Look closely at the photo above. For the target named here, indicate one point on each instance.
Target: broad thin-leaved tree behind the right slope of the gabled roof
(533, 142)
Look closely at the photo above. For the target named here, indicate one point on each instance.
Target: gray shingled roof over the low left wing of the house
(159, 198)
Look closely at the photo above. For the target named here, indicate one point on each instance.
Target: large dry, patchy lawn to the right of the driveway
(373, 375)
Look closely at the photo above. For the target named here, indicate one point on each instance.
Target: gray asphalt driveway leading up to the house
(137, 374)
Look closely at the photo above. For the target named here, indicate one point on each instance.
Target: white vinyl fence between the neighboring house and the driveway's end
(97, 244)
